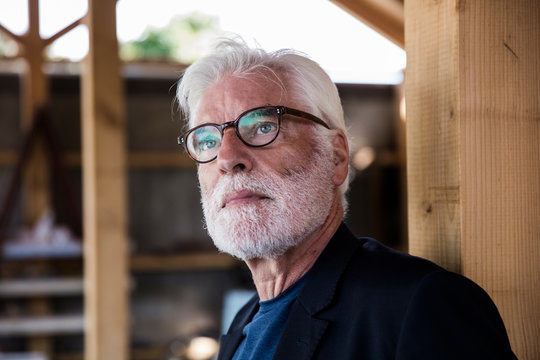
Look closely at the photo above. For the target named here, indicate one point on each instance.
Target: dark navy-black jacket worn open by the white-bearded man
(362, 300)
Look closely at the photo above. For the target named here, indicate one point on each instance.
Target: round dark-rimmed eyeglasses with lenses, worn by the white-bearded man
(255, 127)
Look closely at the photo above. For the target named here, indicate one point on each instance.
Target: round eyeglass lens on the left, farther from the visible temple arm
(204, 143)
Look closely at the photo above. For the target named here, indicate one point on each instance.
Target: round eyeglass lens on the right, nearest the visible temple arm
(259, 127)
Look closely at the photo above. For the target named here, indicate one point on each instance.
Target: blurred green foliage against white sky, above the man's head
(184, 39)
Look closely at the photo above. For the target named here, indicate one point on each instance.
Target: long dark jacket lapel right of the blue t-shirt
(304, 328)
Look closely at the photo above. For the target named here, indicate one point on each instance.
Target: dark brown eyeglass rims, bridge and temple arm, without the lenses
(280, 111)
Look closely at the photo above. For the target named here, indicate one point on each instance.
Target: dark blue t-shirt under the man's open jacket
(262, 334)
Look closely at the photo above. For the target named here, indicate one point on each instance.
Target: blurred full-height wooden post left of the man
(104, 190)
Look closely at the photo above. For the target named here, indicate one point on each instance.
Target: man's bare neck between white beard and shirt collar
(273, 276)
